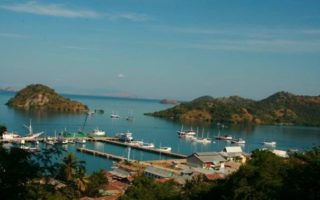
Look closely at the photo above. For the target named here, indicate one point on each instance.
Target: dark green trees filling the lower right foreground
(265, 176)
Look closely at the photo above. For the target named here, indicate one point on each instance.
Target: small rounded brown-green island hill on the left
(41, 97)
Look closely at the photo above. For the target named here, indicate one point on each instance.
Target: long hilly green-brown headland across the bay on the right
(279, 108)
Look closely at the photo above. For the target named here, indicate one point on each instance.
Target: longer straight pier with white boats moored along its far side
(152, 150)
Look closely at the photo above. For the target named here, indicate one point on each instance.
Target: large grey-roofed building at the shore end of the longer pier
(205, 160)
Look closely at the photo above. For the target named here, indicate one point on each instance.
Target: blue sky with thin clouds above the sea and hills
(179, 49)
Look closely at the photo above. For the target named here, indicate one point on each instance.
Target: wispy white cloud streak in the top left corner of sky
(56, 10)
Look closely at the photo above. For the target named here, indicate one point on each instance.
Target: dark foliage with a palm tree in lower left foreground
(24, 175)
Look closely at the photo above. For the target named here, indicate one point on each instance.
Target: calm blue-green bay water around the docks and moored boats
(149, 129)
